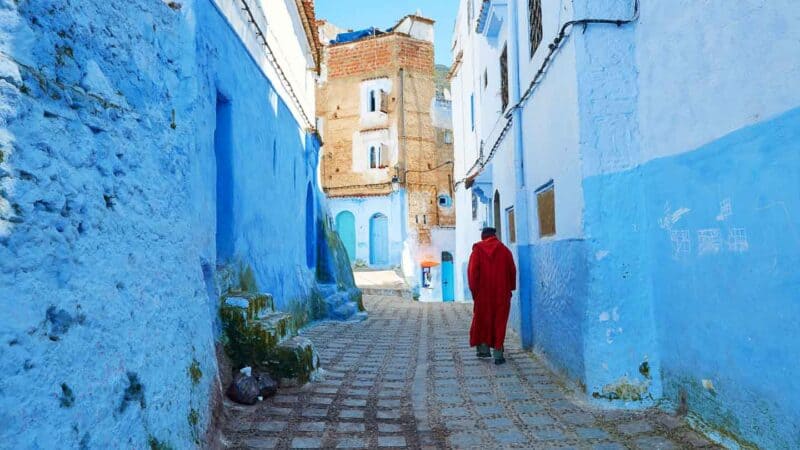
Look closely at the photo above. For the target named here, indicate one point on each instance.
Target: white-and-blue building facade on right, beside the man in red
(641, 161)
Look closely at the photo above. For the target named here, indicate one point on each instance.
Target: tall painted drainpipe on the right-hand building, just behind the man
(521, 208)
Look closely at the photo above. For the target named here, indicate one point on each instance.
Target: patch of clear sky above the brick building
(360, 14)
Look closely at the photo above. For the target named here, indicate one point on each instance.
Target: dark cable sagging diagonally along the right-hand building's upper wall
(565, 31)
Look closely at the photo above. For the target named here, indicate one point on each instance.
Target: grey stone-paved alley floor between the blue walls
(407, 377)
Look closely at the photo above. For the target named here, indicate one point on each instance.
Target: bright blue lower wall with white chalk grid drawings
(725, 278)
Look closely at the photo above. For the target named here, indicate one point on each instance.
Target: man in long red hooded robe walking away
(492, 276)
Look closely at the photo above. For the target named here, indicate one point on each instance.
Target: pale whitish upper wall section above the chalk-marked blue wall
(728, 64)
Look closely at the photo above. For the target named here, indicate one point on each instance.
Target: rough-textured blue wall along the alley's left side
(108, 215)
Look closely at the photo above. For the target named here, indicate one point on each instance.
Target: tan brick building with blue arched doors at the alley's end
(387, 156)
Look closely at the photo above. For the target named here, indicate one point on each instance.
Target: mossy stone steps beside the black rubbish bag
(257, 335)
